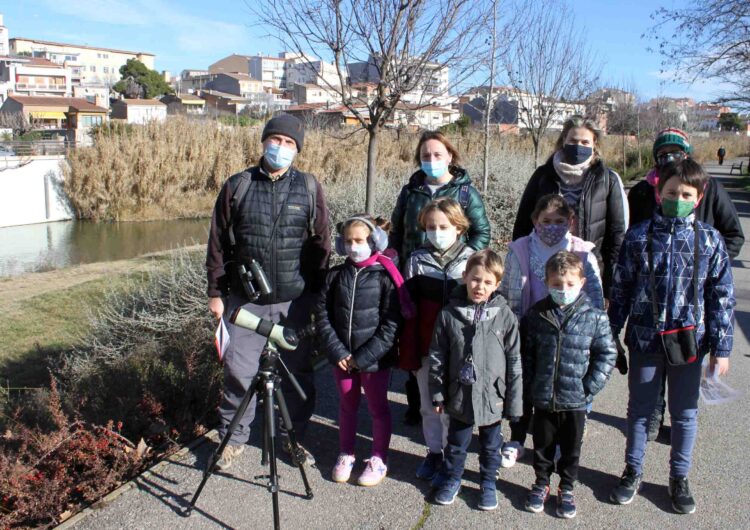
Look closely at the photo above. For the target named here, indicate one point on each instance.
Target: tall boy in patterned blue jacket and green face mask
(673, 284)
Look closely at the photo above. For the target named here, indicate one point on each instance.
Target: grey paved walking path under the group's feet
(239, 500)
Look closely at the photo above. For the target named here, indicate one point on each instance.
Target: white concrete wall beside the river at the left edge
(31, 190)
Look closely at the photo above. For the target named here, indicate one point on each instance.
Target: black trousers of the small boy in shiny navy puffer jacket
(563, 428)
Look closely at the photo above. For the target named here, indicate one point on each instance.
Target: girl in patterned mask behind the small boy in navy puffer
(523, 284)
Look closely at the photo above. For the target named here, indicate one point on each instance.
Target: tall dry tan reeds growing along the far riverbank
(175, 168)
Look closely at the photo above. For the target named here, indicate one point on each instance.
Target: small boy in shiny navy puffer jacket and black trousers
(568, 357)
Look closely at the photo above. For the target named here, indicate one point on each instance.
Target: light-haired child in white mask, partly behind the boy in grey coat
(431, 273)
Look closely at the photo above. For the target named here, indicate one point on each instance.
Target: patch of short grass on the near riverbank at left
(37, 330)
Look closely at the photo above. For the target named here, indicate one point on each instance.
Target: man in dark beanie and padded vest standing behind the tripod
(276, 215)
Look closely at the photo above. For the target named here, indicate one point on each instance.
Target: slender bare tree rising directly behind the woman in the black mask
(549, 68)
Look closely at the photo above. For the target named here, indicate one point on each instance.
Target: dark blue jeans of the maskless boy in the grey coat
(459, 437)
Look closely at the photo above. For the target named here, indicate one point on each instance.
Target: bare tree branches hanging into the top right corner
(708, 40)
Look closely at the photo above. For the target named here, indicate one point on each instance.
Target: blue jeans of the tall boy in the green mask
(644, 385)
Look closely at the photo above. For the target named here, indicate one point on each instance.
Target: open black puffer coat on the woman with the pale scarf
(601, 217)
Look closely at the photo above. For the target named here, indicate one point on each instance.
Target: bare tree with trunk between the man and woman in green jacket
(402, 43)
